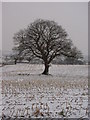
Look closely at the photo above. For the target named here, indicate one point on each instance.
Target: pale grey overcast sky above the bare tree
(72, 16)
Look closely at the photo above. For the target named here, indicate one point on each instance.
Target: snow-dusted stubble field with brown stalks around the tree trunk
(27, 93)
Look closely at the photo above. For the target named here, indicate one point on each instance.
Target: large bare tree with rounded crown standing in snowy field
(44, 39)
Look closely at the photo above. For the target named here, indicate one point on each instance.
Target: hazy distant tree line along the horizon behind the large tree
(14, 59)
